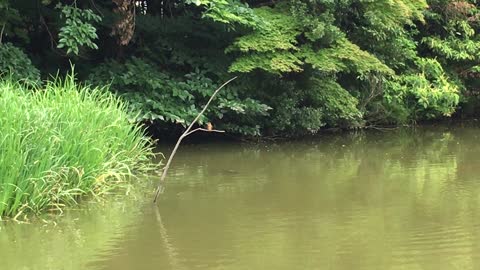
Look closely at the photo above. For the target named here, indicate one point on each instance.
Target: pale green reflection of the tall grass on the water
(72, 241)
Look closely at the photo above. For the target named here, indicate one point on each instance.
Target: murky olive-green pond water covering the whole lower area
(383, 200)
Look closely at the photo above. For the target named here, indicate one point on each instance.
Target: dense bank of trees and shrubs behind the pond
(302, 65)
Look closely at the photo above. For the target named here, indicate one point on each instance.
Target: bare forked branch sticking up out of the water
(185, 134)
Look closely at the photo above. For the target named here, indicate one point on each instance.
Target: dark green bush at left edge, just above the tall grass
(16, 65)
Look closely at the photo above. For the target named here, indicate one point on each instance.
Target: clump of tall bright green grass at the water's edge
(64, 141)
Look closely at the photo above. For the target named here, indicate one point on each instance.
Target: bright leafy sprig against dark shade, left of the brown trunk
(78, 30)
